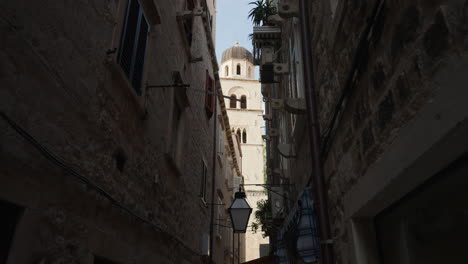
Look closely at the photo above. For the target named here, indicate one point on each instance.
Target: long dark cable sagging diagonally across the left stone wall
(68, 169)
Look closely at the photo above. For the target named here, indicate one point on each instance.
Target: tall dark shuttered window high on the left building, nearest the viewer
(133, 44)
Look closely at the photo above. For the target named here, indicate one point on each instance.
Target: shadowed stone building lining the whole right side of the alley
(384, 83)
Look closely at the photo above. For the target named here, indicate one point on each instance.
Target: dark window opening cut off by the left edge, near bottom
(10, 216)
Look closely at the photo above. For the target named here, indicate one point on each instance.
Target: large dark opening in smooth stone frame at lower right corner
(418, 228)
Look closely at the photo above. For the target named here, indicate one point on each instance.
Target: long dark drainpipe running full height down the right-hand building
(317, 178)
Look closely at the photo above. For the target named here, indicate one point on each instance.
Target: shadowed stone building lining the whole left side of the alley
(106, 142)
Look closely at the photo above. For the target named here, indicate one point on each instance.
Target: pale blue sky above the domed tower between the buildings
(232, 25)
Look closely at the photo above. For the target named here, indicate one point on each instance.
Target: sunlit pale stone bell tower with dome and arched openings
(245, 109)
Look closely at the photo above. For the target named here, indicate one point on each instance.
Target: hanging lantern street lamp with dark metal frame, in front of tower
(240, 212)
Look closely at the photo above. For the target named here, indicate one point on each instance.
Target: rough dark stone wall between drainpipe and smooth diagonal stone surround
(410, 42)
